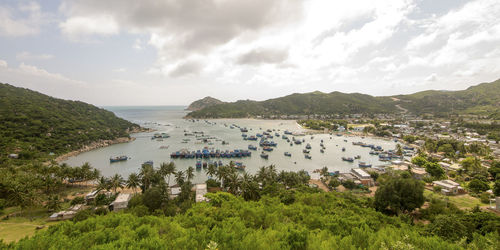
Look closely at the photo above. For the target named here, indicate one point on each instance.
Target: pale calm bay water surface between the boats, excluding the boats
(168, 119)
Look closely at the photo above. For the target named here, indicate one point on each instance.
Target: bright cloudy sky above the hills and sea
(173, 52)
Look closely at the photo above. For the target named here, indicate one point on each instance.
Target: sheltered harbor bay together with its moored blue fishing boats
(185, 142)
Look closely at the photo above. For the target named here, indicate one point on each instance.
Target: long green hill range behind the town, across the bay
(482, 99)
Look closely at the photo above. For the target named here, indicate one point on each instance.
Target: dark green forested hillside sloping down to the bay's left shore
(33, 124)
